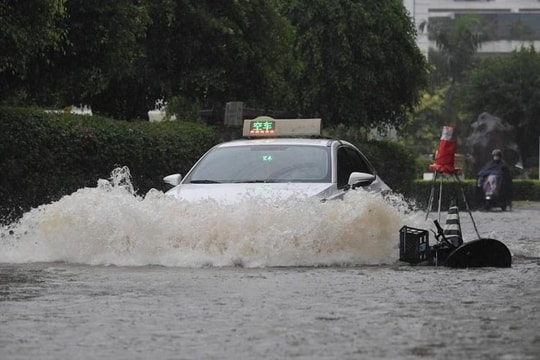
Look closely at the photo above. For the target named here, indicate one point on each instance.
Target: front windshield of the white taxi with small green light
(263, 163)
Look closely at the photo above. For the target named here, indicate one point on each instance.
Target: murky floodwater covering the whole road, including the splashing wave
(103, 273)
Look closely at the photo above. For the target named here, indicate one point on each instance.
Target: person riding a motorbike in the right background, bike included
(495, 182)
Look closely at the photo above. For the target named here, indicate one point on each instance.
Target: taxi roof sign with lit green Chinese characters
(265, 126)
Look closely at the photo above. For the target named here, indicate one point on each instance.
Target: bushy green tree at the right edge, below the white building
(509, 87)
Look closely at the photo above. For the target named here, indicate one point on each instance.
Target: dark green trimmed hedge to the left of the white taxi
(45, 156)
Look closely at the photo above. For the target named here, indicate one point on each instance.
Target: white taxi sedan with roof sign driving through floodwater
(282, 158)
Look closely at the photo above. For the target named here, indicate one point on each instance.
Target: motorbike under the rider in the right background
(494, 191)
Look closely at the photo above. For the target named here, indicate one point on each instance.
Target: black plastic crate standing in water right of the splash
(413, 245)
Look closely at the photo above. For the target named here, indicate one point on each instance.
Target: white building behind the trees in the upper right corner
(509, 23)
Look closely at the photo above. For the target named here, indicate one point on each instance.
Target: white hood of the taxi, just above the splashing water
(231, 193)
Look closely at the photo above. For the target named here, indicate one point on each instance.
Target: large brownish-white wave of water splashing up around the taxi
(109, 224)
